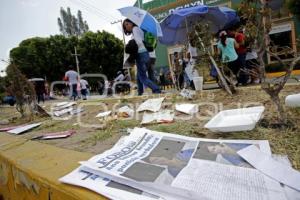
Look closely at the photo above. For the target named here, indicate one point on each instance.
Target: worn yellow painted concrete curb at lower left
(30, 170)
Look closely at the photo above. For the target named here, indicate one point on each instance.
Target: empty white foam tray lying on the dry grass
(243, 119)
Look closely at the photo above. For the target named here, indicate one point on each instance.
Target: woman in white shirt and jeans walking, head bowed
(142, 57)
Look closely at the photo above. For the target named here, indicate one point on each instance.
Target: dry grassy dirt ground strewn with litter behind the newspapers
(89, 138)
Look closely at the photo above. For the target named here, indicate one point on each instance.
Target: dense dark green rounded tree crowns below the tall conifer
(50, 57)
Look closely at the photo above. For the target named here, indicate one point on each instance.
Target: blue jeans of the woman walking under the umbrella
(142, 79)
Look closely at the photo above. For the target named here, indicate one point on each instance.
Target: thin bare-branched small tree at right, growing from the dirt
(257, 15)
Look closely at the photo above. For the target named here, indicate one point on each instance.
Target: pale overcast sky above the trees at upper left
(22, 19)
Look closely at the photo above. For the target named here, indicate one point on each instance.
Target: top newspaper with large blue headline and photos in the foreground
(167, 165)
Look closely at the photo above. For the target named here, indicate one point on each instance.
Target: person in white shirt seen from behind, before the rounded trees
(72, 77)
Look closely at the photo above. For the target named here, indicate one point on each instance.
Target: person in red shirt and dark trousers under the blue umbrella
(241, 51)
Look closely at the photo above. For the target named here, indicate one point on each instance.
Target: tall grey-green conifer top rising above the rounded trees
(69, 25)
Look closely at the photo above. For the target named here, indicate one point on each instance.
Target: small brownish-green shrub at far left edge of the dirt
(21, 88)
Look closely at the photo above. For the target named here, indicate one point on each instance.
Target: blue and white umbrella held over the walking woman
(142, 19)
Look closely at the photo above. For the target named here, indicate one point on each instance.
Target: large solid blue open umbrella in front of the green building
(175, 26)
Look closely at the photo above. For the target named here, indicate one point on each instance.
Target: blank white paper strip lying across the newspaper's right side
(270, 167)
